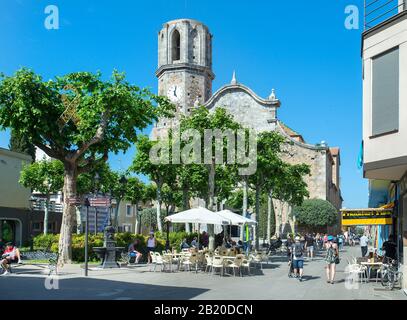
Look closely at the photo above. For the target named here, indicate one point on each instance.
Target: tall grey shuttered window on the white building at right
(385, 92)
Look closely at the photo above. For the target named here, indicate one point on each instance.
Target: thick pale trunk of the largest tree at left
(68, 216)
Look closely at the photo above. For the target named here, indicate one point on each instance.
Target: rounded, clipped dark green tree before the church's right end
(316, 214)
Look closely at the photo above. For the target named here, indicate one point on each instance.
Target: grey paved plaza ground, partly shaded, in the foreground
(30, 282)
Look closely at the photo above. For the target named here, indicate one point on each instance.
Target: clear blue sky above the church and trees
(300, 48)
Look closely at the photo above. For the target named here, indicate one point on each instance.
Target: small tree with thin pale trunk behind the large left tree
(46, 177)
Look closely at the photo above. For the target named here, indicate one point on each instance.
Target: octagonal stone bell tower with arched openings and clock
(184, 67)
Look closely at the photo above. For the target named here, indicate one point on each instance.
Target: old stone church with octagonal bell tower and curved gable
(185, 76)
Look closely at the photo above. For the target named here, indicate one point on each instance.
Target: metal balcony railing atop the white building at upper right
(378, 11)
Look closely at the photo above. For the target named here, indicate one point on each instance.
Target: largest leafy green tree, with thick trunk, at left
(77, 119)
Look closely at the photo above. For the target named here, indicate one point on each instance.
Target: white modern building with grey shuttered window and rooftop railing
(384, 54)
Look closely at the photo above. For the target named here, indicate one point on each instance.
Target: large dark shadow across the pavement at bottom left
(81, 288)
